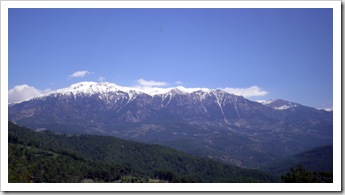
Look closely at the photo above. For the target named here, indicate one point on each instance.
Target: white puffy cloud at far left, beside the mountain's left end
(23, 92)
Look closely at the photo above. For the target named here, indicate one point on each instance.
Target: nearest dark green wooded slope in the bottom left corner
(30, 164)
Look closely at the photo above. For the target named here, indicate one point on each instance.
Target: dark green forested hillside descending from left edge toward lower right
(49, 157)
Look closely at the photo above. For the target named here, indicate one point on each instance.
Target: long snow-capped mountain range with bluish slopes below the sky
(205, 122)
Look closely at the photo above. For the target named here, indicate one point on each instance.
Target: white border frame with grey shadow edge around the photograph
(337, 105)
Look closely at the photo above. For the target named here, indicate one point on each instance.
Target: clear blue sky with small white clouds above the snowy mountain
(258, 53)
